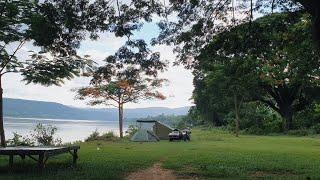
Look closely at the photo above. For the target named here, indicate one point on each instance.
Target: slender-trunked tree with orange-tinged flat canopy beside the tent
(127, 86)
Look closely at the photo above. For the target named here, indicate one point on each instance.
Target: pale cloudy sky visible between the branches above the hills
(178, 91)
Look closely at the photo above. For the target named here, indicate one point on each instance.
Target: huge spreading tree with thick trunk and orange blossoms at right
(287, 73)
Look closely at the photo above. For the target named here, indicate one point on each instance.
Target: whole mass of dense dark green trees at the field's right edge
(274, 66)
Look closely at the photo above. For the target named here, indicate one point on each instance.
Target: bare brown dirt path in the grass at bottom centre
(156, 172)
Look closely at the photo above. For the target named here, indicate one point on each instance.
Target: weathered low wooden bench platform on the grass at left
(43, 153)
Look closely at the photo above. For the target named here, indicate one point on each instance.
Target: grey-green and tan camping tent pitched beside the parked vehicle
(151, 131)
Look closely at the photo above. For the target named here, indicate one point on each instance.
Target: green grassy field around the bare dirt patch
(210, 155)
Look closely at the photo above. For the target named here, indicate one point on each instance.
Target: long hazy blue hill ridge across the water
(41, 109)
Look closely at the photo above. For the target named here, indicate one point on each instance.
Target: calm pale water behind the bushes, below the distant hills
(68, 130)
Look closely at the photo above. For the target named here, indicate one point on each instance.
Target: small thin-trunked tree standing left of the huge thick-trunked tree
(232, 84)
